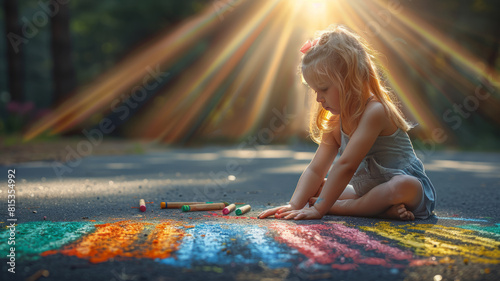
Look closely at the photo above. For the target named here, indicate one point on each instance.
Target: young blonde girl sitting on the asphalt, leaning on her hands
(377, 173)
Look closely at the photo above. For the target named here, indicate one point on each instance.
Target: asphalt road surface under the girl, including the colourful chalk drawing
(80, 221)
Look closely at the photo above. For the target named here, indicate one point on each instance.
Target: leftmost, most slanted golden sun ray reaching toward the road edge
(125, 74)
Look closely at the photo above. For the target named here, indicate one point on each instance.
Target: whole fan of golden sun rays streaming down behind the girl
(221, 74)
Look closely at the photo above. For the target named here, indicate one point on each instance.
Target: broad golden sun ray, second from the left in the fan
(178, 113)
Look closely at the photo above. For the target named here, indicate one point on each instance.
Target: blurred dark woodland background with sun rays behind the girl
(193, 72)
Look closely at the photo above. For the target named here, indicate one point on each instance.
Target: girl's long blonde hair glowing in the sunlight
(345, 60)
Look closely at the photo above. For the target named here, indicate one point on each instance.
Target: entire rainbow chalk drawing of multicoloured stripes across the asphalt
(277, 245)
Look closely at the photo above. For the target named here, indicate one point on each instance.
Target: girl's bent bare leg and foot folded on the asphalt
(402, 193)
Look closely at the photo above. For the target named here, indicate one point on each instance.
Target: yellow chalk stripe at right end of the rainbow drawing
(441, 241)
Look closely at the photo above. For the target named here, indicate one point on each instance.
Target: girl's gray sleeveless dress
(390, 156)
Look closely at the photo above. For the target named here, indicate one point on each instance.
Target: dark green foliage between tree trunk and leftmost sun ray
(104, 31)
